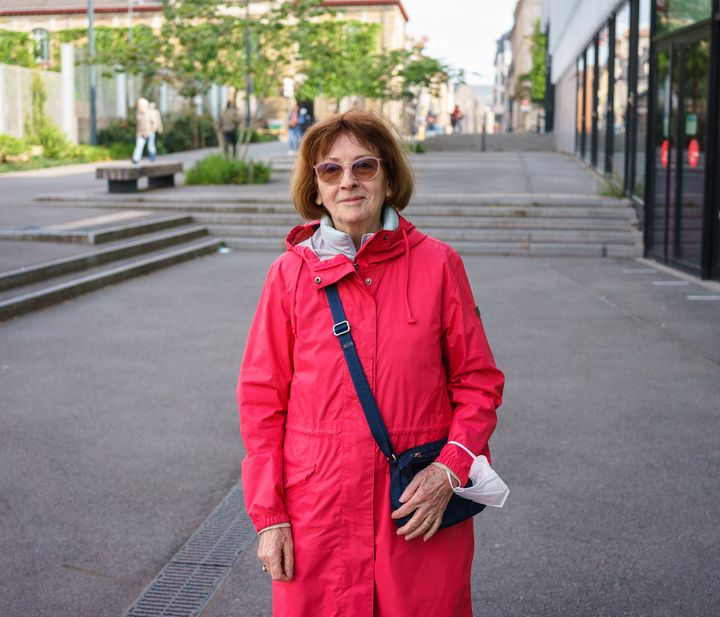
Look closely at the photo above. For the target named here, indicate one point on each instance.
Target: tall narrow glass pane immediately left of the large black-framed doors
(641, 102)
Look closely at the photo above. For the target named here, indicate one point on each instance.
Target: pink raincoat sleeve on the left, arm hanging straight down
(262, 392)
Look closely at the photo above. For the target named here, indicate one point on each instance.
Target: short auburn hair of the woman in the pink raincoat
(372, 131)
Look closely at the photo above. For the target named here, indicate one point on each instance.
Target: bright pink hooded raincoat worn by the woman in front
(311, 459)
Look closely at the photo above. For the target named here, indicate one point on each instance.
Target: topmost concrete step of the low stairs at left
(98, 235)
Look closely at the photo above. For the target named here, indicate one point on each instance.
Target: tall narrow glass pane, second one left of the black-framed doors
(620, 96)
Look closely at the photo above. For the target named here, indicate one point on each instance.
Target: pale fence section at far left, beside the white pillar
(16, 97)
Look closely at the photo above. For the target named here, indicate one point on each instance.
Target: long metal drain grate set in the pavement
(187, 583)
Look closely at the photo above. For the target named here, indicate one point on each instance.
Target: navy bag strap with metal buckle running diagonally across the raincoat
(341, 329)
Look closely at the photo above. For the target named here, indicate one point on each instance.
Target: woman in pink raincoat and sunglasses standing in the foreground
(316, 484)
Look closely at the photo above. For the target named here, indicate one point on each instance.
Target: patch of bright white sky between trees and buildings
(462, 33)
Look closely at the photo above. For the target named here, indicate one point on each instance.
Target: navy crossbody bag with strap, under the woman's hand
(404, 466)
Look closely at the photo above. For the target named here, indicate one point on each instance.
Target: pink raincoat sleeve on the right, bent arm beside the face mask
(475, 384)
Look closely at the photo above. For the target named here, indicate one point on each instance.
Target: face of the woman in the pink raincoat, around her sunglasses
(355, 206)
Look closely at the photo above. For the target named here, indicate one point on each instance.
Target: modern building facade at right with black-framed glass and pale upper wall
(636, 97)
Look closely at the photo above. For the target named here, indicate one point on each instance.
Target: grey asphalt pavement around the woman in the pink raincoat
(119, 434)
